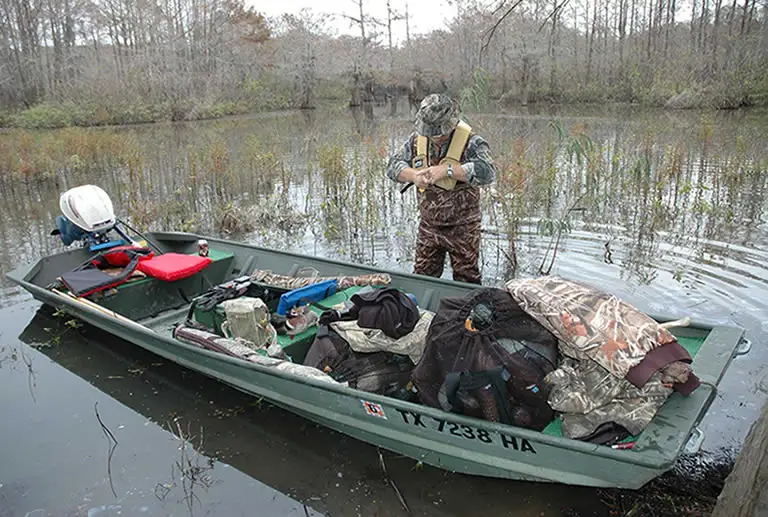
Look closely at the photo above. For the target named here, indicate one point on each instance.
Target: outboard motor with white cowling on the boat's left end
(88, 217)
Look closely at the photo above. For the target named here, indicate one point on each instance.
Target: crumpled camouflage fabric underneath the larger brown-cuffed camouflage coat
(588, 395)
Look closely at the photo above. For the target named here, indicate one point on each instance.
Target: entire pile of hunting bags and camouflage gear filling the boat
(537, 353)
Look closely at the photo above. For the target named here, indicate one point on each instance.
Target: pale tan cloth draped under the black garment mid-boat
(374, 340)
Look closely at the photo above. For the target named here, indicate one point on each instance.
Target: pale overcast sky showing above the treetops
(425, 15)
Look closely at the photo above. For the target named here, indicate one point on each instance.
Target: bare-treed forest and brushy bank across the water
(95, 62)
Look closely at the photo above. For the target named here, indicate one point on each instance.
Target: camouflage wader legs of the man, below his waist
(461, 242)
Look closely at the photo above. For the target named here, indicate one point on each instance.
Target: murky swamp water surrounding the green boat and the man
(673, 221)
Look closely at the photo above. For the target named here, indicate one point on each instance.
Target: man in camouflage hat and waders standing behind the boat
(447, 163)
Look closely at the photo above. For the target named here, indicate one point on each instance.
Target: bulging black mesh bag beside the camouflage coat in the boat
(487, 358)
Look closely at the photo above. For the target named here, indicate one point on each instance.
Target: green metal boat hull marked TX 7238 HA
(448, 441)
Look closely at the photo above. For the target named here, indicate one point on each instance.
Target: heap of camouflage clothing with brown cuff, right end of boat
(619, 364)
